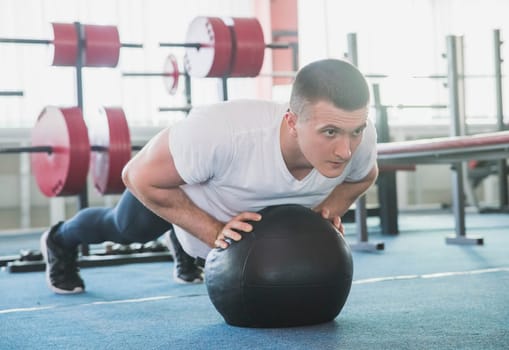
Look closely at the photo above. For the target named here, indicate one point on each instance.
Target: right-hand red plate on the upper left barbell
(102, 46)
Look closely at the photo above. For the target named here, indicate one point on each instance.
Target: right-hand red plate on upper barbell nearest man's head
(249, 46)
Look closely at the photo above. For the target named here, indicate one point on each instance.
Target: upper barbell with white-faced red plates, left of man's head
(225, 47)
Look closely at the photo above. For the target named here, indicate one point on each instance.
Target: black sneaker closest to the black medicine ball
(184, 268)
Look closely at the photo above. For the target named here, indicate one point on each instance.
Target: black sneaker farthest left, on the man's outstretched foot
(62, 271)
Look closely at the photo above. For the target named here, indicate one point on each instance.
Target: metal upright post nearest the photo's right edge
(502, 166)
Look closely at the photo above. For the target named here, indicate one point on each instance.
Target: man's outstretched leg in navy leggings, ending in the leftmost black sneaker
(129, 221)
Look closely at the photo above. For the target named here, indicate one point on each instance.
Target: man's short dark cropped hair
(332, 80)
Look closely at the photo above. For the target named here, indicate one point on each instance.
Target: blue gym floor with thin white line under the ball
(419, 293)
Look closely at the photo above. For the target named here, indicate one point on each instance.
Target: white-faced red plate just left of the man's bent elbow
(110, 131)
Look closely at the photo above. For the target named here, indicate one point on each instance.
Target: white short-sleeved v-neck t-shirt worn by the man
(229, 155)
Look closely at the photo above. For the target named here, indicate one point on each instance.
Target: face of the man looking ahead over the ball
(329, 136)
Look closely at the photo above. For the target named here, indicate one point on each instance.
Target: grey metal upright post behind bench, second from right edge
(455, 83)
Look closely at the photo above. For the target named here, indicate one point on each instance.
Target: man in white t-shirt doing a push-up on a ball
(210, 173)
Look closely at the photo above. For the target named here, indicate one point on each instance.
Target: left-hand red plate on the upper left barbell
(65, 44)
